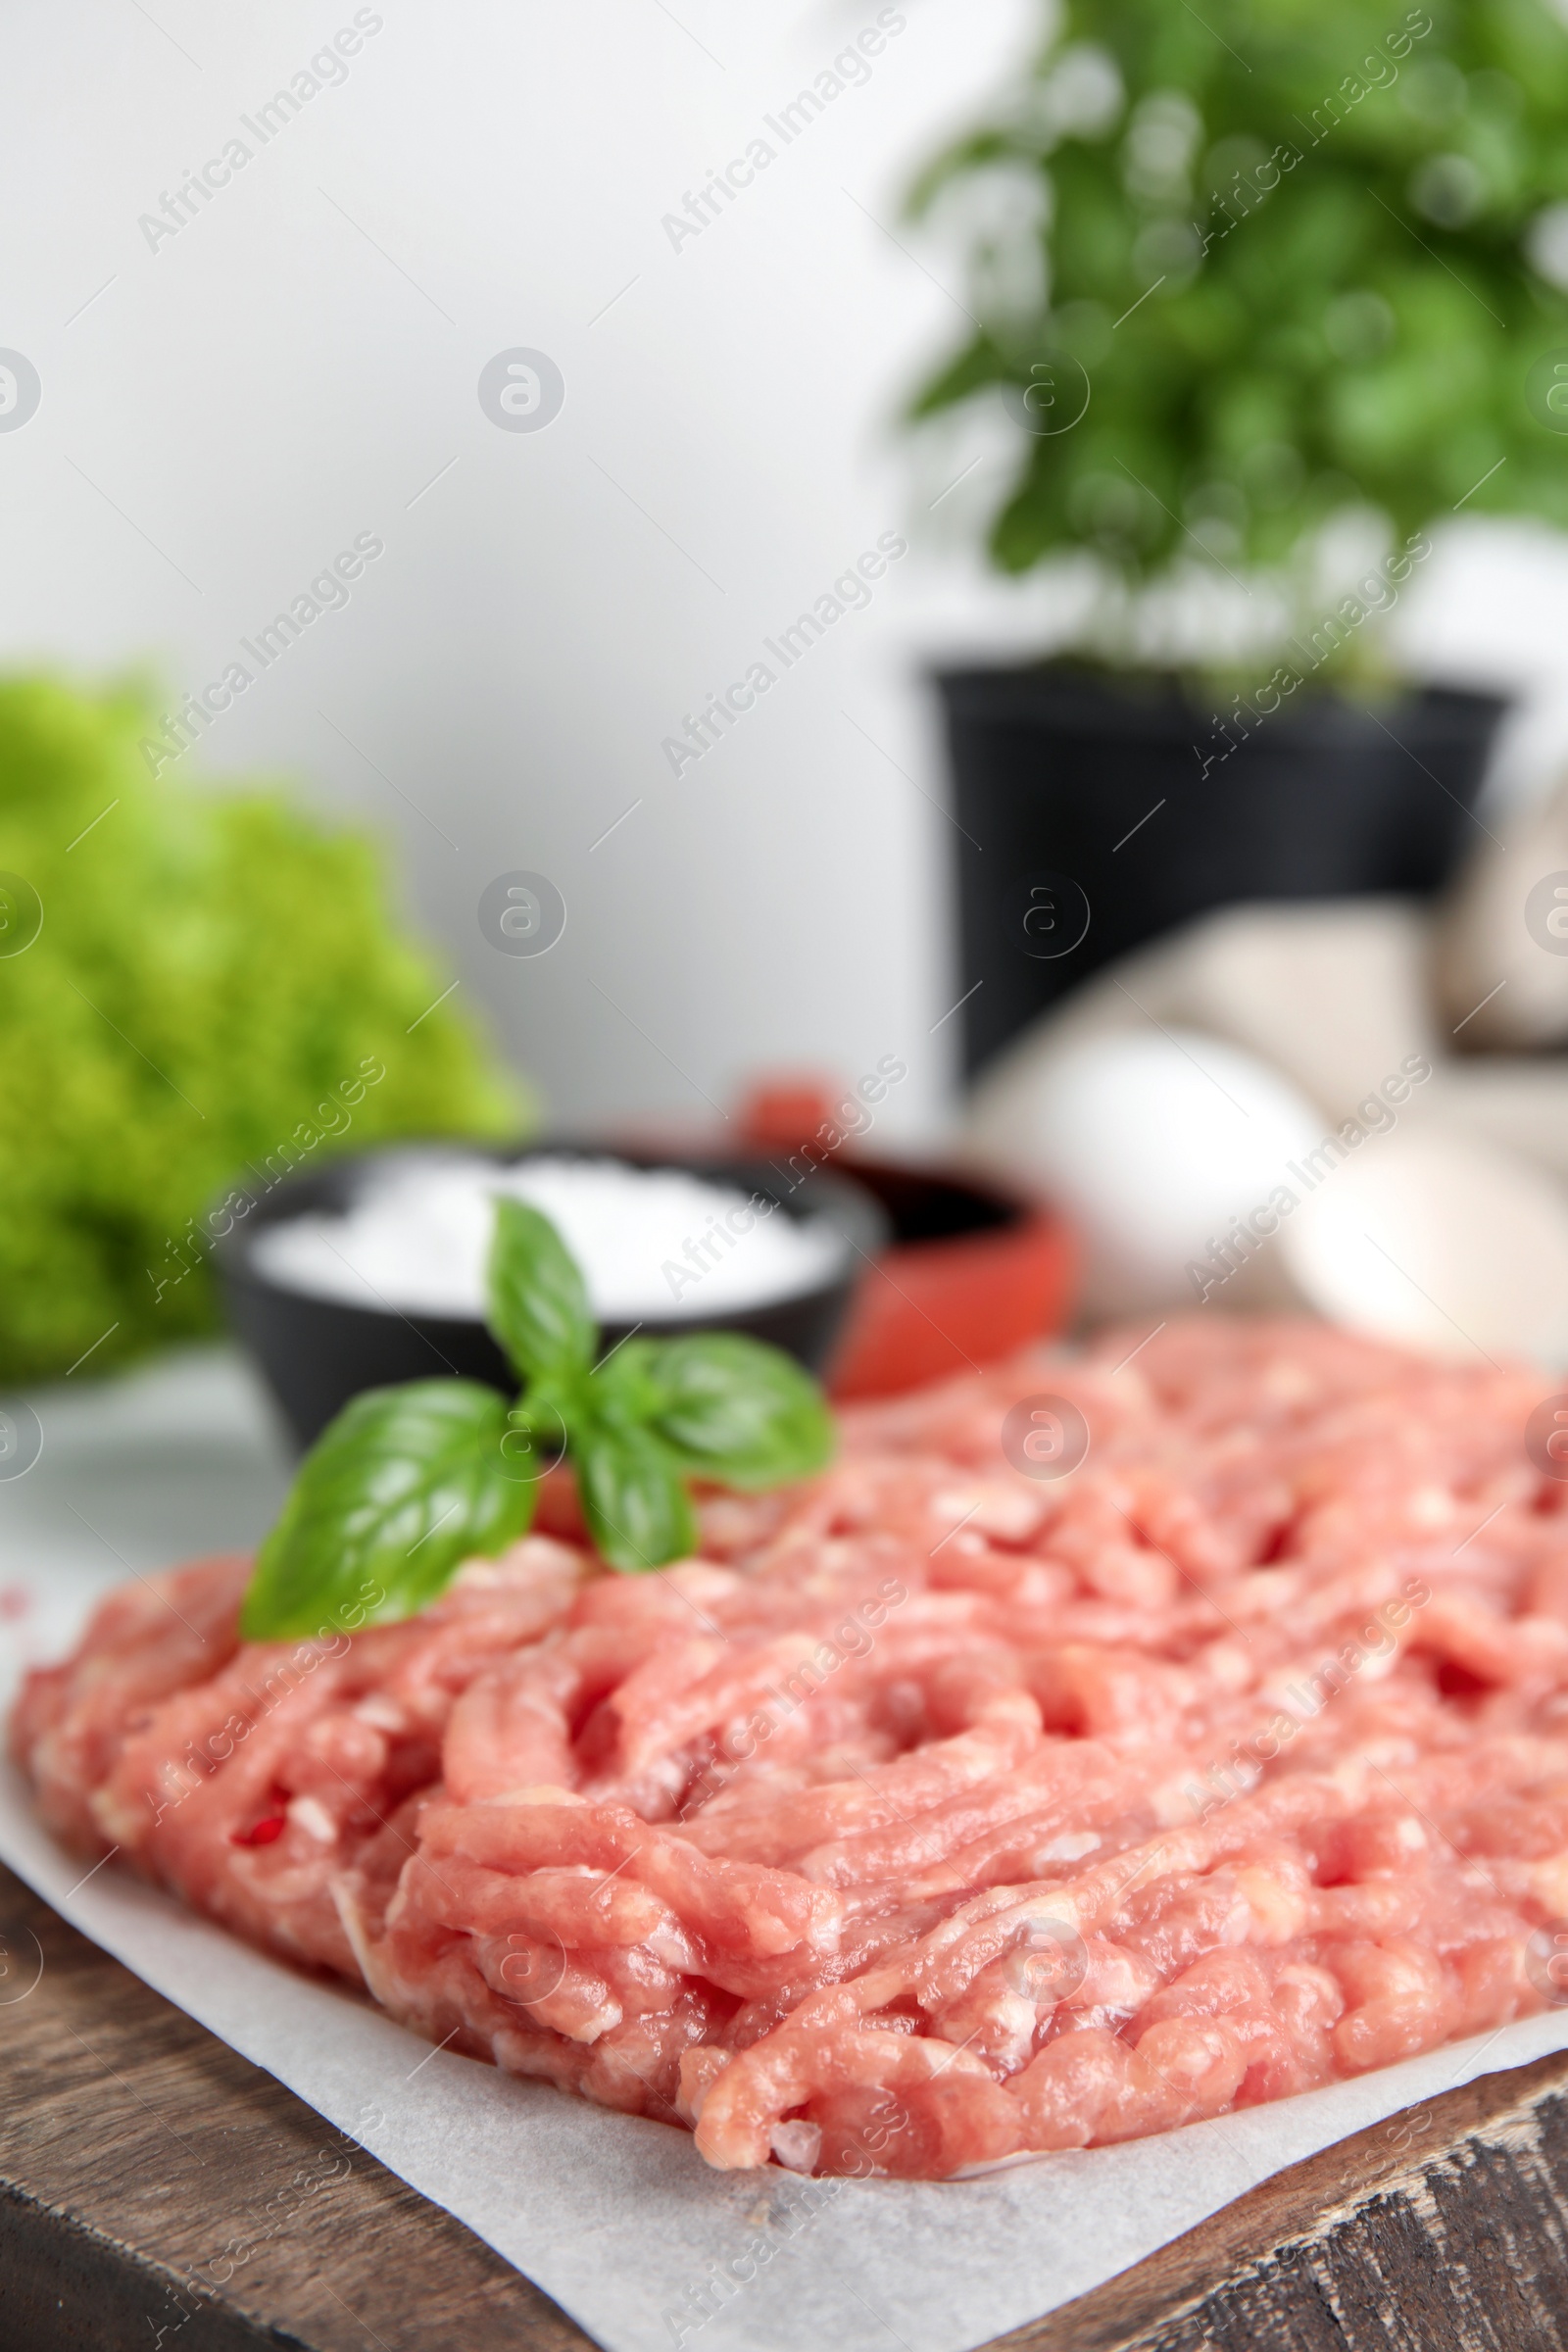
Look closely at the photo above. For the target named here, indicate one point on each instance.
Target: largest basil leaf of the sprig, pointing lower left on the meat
(391, 1497)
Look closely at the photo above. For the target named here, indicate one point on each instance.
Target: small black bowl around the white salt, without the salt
(319, 1354)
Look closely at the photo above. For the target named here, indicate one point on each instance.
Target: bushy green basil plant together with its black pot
(1271, 290)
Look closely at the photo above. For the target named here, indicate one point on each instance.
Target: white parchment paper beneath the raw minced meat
(615, 2217)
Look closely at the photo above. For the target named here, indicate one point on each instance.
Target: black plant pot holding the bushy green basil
(1099, 813)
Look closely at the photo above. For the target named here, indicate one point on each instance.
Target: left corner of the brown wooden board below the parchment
(91, 2094)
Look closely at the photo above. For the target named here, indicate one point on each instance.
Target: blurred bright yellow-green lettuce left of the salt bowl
(220, 994)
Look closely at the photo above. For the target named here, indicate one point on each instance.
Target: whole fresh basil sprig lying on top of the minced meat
(408, 1483)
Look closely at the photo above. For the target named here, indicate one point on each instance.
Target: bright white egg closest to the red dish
(1153, 1144)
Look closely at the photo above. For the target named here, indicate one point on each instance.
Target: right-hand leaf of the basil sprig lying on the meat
(739, 1412)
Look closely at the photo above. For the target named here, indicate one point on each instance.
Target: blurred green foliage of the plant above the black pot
(1301, 258)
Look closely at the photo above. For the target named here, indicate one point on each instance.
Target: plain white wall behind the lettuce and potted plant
(300, 363)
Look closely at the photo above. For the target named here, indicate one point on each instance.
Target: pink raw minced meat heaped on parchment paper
(937, 1812)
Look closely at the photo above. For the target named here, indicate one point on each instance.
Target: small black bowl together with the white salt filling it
(373, 1269)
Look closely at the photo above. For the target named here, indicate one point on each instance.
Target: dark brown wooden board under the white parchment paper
(142, 2160)
